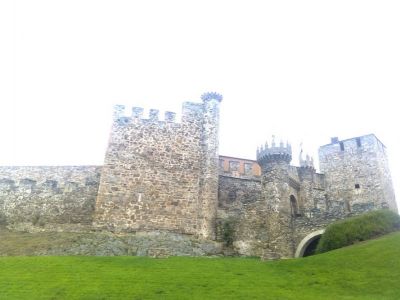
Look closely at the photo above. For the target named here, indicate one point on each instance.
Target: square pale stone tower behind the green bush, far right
(357, 173)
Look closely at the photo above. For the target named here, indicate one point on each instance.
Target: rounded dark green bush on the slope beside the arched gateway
(366, 226)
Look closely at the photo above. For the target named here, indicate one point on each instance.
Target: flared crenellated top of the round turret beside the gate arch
(275, 152)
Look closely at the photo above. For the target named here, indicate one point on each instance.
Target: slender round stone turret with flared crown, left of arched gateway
(276, 195)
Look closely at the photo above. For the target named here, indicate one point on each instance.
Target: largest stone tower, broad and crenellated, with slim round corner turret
(162, 175)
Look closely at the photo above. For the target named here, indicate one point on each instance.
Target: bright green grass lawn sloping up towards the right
(369, 270)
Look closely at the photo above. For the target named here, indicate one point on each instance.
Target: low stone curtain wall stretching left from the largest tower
(48, 195)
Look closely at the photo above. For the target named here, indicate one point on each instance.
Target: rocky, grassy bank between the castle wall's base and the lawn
(156, 244)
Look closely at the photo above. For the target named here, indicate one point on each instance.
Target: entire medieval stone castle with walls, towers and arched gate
(165, 175)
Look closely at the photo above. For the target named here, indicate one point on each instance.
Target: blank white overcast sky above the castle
(303, 70)
